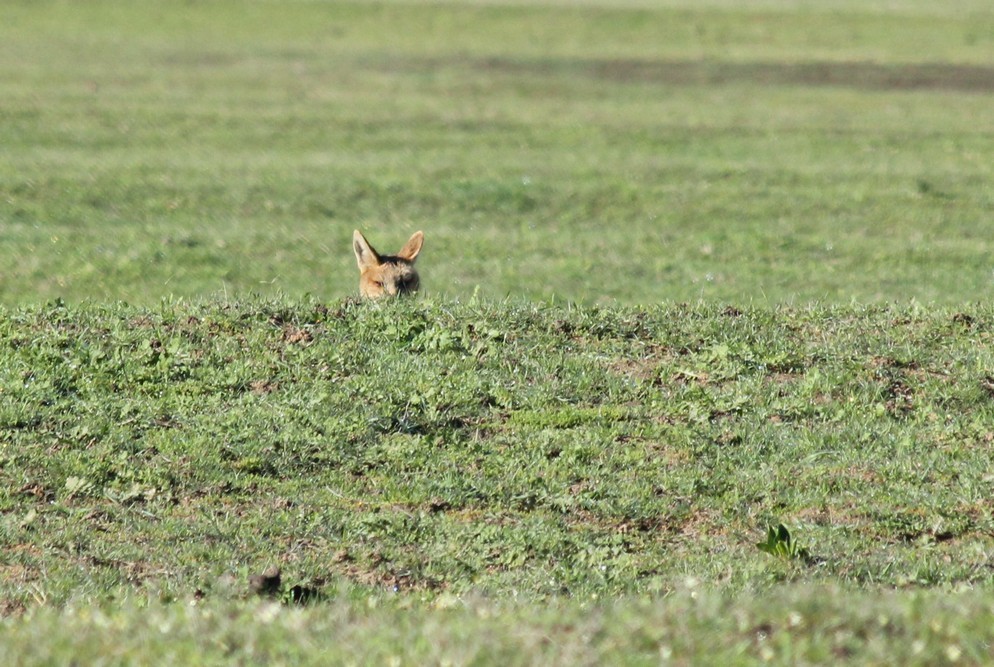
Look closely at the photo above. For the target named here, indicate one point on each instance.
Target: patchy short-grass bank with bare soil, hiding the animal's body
(488, 455)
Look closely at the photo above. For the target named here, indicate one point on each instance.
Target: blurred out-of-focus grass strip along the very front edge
(805, 626)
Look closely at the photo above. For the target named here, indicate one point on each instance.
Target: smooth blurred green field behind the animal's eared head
(597, 154)
